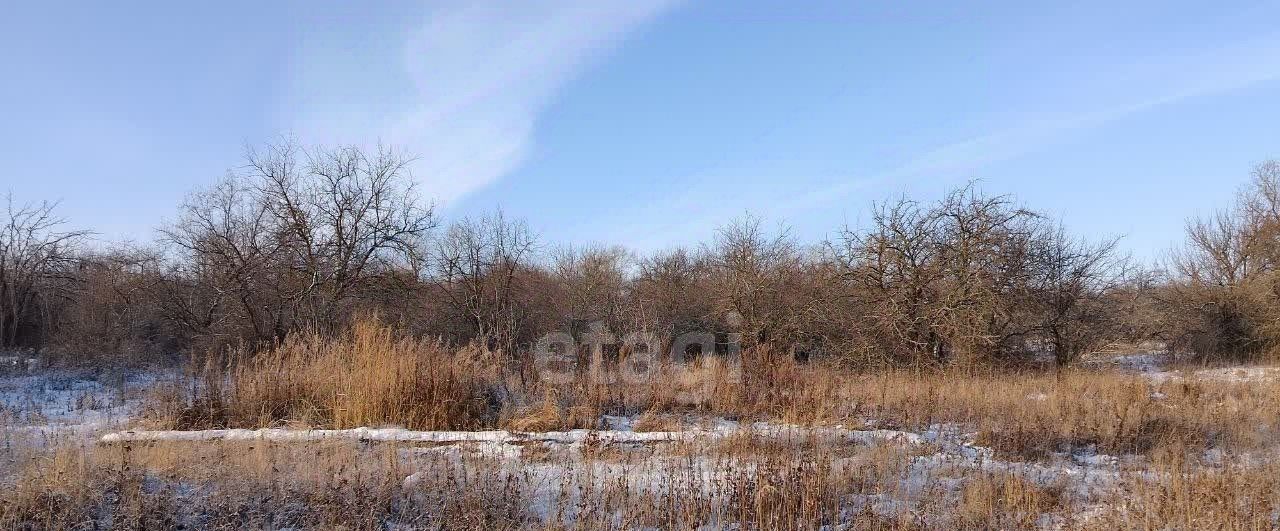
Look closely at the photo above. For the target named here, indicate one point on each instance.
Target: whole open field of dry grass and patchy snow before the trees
(1121, 442)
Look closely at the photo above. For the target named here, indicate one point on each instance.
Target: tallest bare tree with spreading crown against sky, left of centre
(346, 217)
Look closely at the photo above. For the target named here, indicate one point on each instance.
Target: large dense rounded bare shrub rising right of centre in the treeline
(972, 280)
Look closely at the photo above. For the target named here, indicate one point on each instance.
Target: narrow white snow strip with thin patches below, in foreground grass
(939, 456)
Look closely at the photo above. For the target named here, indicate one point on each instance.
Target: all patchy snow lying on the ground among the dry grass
(97, 408)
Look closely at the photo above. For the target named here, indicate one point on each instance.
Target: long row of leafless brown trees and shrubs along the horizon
(307, 240)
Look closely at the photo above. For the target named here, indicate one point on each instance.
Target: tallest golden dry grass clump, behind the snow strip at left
(367, 377)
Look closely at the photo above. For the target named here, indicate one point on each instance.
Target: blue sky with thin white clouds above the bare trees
(652, 122)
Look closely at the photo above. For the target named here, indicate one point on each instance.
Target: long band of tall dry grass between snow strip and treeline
(371, 377)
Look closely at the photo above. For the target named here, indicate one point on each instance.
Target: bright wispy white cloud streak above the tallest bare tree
(483, 72)
